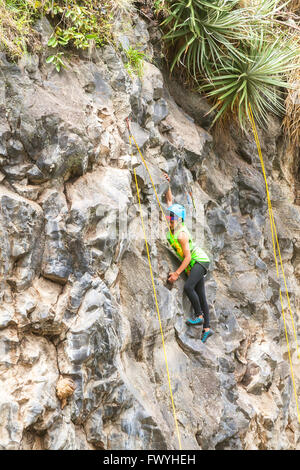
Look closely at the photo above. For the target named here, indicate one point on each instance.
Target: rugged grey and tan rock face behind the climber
(78, 320)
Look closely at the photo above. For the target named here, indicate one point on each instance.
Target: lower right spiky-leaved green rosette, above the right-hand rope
(255, 81)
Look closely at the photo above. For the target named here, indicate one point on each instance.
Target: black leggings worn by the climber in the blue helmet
(195, 290)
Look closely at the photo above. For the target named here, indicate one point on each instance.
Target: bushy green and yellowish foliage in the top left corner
(78, 24)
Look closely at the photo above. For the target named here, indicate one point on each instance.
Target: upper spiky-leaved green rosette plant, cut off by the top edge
(201, 30)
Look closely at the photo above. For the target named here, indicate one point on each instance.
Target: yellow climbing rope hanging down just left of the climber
(154, 290)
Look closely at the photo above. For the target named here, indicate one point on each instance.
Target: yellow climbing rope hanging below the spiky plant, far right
(274, 236)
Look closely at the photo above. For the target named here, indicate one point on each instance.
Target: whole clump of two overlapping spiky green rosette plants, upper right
(237, 55)
